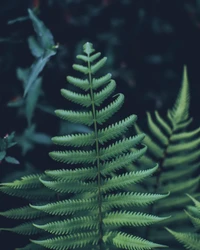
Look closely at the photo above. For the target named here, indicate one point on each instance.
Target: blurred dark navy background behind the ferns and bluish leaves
(147, 42)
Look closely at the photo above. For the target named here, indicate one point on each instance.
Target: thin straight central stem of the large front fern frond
(97, 155)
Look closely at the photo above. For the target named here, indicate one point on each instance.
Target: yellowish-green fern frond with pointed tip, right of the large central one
(176, 149)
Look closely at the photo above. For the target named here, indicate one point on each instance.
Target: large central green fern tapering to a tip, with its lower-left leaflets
(94, 210)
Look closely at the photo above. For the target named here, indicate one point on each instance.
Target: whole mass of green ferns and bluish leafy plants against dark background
(114, 187)
